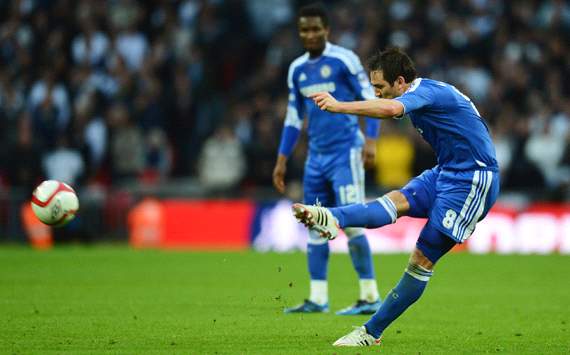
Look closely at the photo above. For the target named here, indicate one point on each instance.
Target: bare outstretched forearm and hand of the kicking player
(378, 108)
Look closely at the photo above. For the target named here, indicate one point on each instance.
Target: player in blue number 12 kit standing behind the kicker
(334, 173)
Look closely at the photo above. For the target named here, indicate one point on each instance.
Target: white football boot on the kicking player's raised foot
(317, 218)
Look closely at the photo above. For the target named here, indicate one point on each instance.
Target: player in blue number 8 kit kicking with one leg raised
(453, 196)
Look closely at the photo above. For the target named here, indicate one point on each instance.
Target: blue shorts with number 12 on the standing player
(334, 179)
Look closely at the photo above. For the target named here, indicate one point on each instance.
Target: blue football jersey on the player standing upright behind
(338, 71)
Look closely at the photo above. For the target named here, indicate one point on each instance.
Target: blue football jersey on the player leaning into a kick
(451, 124)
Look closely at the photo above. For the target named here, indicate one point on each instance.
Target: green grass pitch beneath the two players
(121, 301)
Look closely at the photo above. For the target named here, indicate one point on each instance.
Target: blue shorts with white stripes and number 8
(453, 201)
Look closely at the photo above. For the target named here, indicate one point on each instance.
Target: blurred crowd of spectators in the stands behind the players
(115, 91)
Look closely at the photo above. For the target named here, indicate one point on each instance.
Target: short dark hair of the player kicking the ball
(393, 62)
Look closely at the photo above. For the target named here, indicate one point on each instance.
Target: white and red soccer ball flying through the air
(54, 203)
